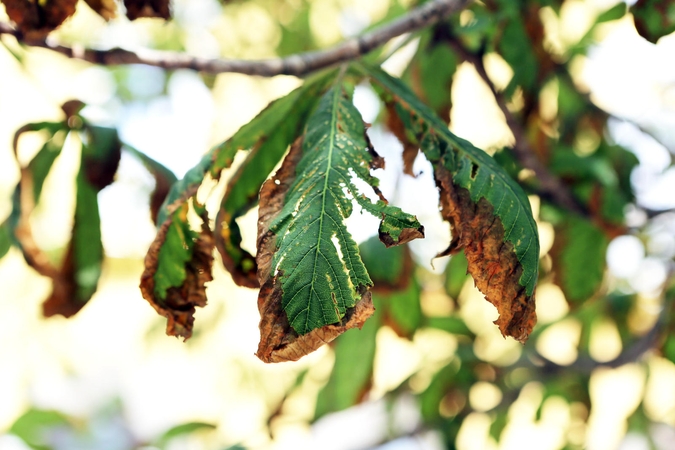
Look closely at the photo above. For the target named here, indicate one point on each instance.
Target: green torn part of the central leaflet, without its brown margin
(320, 272)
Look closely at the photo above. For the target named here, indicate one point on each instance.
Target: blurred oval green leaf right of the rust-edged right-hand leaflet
(579, 258)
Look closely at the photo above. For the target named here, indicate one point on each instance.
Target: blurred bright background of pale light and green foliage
(571, 81)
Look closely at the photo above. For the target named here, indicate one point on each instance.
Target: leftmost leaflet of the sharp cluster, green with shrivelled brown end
(176, 265)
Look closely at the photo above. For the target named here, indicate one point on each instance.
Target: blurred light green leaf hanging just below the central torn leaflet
(352, 371)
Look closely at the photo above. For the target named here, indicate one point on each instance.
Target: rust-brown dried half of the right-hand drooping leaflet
(491, 259)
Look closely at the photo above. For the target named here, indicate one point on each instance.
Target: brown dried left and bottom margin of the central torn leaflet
(278, 340)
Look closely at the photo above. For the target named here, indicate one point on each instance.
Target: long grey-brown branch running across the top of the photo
(299, 64)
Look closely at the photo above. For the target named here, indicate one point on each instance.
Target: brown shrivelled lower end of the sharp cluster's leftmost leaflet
(177, 303)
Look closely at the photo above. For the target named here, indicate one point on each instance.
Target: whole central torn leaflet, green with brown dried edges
(314, 284)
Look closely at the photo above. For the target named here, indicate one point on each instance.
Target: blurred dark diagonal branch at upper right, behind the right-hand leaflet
(550, 186)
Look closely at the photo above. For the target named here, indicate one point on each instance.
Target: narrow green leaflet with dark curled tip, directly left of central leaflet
(290, 115)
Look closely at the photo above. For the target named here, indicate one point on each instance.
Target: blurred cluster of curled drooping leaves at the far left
(74, 272)
